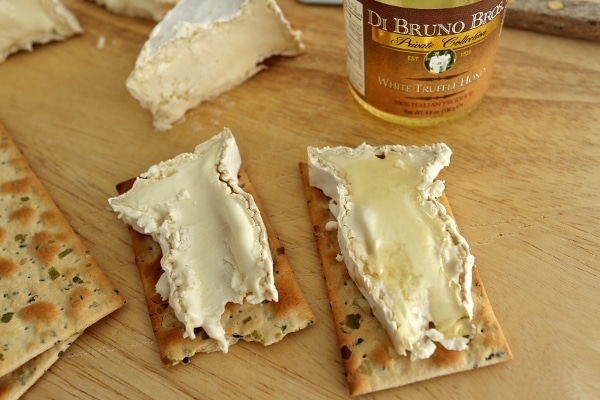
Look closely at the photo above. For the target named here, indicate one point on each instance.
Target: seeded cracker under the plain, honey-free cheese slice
(267, 323)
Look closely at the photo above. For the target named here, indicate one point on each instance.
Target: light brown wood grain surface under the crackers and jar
(524, 185)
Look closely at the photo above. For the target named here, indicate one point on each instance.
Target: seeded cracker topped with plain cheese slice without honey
(216, 236)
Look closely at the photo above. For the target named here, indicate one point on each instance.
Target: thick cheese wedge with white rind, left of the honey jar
(203, 48)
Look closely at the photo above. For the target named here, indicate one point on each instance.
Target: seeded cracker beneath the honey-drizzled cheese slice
(370, 362)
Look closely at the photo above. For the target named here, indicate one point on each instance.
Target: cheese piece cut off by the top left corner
(24, 23)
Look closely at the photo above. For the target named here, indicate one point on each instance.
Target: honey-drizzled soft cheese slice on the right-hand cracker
(400, 246)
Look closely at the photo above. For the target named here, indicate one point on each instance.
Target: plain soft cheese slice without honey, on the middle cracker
(213, 239)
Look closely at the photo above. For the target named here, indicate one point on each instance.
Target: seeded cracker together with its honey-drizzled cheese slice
(388, 275)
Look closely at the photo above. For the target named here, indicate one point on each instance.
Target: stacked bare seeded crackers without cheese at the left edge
(51, 289)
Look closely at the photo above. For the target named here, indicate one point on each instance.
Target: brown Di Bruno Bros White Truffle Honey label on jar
(421, 63)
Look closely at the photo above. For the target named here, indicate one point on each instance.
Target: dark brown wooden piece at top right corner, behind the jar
(571, 18)
